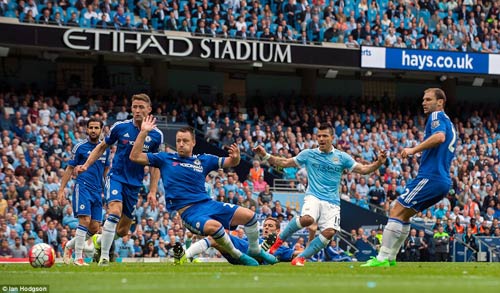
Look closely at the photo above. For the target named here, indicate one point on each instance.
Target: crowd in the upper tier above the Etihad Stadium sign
(454, 25)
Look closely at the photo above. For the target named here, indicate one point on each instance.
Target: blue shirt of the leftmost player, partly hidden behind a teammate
(94, 176)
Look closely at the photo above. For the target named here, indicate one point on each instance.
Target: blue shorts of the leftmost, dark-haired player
(87, 202)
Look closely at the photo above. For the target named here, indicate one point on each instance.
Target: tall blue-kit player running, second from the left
(125, 177)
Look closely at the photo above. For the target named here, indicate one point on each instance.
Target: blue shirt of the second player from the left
(124, 133)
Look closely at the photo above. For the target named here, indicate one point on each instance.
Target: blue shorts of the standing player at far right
(422, 193)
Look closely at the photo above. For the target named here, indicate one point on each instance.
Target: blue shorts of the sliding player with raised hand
(197, 215)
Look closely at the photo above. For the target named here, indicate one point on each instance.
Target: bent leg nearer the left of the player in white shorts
(310, 212)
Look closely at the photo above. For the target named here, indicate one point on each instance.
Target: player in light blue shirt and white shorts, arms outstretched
(324, 166)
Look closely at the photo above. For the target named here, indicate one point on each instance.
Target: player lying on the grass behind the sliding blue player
(270, 230)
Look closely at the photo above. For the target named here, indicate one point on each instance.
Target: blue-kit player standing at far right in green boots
(433, 180)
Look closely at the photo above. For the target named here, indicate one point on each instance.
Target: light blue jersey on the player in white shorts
(324, 171)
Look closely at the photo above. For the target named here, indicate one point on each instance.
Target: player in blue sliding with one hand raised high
(184, 175)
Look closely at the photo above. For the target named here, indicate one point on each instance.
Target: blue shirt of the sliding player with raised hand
(184, 177)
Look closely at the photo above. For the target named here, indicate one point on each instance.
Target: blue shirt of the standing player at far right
(435, 162)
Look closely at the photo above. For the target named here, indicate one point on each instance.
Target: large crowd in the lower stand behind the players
(38, 131)
